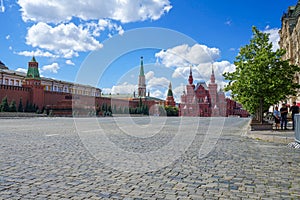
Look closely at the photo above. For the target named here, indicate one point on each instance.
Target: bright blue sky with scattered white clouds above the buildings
(64, 35)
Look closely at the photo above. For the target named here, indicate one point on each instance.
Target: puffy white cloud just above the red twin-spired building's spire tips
(184, 55)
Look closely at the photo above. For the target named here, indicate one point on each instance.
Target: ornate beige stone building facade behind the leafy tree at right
(290, 39)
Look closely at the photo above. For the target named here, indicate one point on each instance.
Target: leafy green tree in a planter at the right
(262, 78)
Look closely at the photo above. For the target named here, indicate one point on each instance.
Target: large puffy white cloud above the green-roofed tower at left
(65, 39)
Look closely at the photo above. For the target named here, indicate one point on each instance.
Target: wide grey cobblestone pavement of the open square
(55, 158)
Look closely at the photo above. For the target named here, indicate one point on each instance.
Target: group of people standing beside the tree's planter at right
(280, 116)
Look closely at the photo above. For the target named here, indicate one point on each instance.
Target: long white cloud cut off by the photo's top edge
(57, 11)
